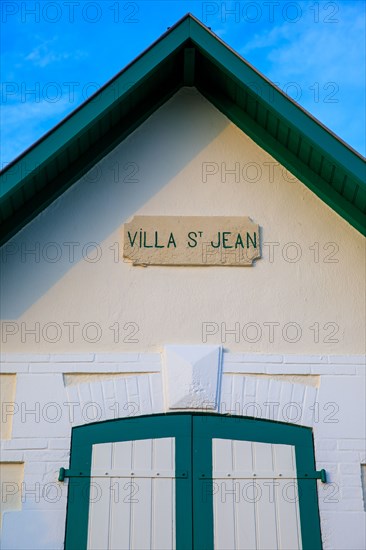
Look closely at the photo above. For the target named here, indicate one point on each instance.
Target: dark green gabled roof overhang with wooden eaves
(188, 54)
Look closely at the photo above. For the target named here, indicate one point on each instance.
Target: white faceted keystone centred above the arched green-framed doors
(192, 376)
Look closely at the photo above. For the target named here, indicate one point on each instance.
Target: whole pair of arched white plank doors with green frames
(201, 482)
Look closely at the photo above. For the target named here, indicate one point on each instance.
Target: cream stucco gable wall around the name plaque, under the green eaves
(305, 295)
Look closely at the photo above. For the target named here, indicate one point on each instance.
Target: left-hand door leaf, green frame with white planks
(101, 510)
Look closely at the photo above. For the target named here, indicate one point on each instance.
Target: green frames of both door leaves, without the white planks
(193, 433)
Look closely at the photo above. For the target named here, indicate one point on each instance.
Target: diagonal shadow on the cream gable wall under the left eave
(110, 193)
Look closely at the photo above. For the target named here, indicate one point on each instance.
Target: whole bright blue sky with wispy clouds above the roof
(55, 54)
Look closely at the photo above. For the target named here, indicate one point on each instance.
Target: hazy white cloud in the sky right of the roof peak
(326, 61)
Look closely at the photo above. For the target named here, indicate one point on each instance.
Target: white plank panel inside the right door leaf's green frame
(255, 496)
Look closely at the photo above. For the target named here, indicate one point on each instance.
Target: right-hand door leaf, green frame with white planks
(276, 511)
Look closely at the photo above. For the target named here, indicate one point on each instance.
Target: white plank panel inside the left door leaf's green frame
(132, 500)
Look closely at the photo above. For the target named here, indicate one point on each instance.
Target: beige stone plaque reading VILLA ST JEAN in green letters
(191, 240)
